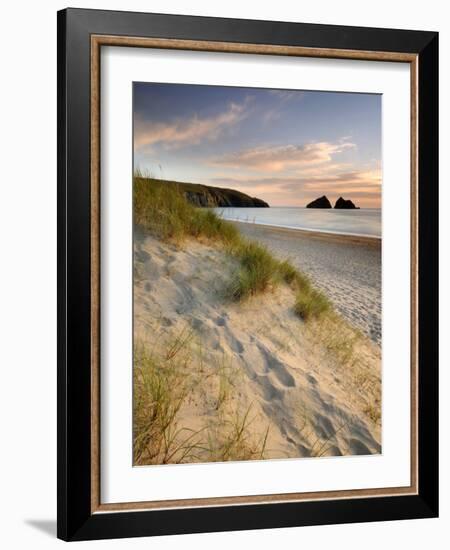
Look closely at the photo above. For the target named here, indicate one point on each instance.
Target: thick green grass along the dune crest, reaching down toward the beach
(164, 211)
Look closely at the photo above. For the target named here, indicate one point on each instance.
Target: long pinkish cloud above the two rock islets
(283, 157)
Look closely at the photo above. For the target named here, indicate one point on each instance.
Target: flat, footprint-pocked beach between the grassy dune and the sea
(347, 269)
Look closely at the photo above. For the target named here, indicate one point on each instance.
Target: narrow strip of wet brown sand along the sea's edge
(349, 238)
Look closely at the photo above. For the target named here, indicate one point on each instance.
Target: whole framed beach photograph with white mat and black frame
(247, 255)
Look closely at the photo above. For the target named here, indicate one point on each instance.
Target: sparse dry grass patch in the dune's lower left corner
(163, 385)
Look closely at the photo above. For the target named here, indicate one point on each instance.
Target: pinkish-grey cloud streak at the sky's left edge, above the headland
(186, 131)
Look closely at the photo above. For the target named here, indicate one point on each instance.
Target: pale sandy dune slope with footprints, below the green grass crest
(272, 365)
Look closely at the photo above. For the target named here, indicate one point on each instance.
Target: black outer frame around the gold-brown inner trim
(75, 518)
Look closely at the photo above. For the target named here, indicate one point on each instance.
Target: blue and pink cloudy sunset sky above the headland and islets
(286, 147)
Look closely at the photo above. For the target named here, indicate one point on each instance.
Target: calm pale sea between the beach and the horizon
(363, 222)
